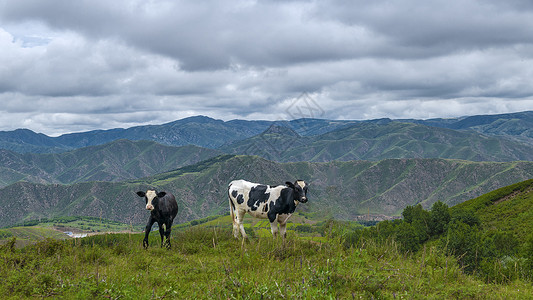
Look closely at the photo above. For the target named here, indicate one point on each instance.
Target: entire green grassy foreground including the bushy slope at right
(320, 259)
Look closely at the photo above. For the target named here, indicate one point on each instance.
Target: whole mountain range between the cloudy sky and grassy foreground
(353, 167)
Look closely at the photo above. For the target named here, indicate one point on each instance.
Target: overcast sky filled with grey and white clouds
(71, 66)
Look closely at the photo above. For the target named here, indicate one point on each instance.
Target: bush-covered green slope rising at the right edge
(490, 236)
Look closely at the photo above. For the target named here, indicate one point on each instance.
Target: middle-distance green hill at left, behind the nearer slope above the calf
(117, 161)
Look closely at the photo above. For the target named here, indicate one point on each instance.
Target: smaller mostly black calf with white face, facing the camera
(163, 209)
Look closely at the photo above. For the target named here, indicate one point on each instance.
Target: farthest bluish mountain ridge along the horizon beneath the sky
(211, 133)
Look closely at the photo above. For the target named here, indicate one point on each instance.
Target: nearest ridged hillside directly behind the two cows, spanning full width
(342, 189)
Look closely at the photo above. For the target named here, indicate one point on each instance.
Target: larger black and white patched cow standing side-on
(277, 203)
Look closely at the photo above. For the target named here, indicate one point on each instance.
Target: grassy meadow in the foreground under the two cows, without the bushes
(208, 263)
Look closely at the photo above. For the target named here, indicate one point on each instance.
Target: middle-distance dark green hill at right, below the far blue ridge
(381, 140)
